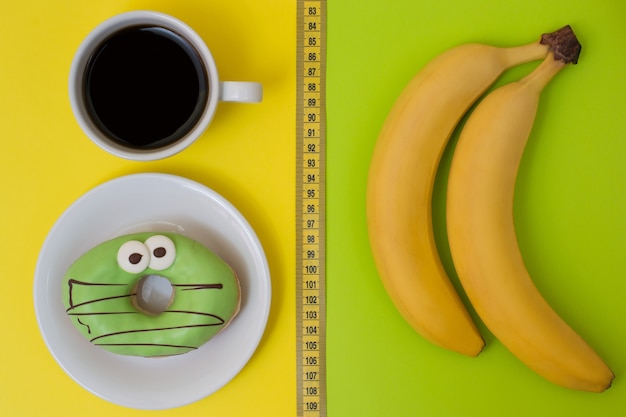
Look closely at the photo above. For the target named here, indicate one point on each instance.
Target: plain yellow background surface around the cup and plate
(46, 163)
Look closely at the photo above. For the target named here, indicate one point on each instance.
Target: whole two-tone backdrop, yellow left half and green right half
(570, 199)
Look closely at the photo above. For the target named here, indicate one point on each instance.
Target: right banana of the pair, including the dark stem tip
(482, 235)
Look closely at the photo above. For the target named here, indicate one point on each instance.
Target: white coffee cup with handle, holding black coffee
(99, 133)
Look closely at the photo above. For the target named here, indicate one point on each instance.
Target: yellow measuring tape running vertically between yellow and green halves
(310, 209)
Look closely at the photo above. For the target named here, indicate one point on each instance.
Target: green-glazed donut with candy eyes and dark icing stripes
(102, 294)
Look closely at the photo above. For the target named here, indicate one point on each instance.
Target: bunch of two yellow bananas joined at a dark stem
(479, 209)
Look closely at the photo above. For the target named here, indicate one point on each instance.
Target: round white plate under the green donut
(152, 202)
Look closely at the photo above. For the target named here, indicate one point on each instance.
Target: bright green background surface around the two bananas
(569, 208)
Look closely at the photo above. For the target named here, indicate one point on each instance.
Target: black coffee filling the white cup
(145, 87)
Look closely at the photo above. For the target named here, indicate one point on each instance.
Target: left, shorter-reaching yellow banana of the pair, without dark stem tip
(400, 183)
